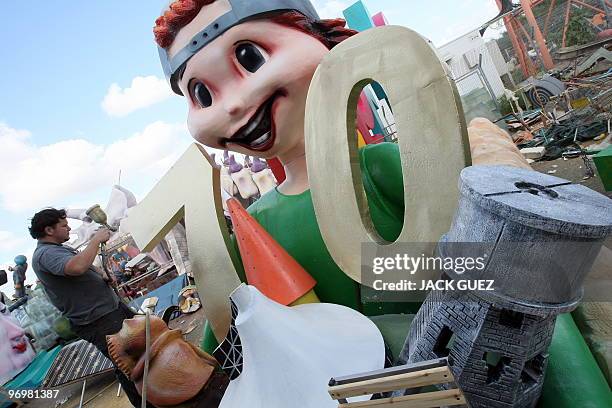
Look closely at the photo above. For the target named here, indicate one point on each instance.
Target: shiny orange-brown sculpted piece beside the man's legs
(178, 371)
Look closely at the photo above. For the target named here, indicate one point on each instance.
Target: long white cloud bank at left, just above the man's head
(37, 176)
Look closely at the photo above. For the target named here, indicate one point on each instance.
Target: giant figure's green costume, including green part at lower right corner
(291, 221)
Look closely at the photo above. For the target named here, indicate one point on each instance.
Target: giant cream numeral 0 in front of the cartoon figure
(433, 142)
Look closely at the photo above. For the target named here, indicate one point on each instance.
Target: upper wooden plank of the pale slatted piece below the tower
(397, 382)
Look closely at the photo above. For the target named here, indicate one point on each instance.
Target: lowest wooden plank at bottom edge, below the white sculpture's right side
(427, 400)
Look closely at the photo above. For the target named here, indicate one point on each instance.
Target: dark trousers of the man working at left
(96, 333)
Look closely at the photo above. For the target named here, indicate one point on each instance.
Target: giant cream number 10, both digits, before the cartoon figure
(433, 149)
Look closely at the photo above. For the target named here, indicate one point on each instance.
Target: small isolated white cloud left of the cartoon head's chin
(142, 93)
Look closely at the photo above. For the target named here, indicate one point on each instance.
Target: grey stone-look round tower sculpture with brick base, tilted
(540, 236)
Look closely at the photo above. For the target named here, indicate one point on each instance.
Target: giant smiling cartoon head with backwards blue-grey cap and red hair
(244, 68)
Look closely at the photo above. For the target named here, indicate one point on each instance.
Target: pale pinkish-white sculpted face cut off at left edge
(15, 349)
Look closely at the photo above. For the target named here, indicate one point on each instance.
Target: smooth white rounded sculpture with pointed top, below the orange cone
(290, 353)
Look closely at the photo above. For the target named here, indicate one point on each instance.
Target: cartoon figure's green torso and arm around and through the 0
(291, 221)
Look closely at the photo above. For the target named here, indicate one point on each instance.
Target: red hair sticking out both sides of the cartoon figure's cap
(182, 12)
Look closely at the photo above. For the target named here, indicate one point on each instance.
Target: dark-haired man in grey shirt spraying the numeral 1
(75, 287)
